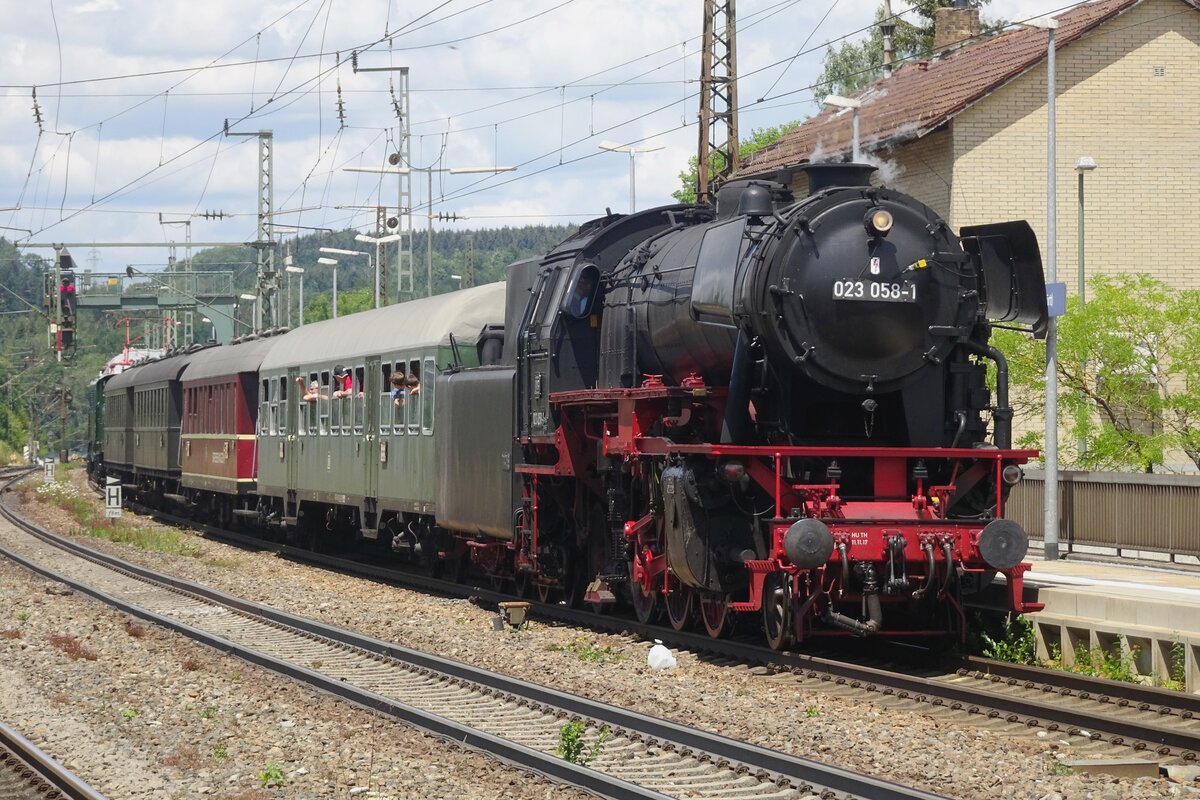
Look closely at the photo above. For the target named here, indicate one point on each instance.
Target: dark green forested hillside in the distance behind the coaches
(37, 388)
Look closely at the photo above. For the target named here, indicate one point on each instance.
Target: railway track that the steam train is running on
(1129, 718)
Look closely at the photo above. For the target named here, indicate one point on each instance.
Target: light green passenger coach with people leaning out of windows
(349, 456)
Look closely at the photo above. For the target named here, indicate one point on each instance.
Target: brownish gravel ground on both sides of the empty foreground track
(256, 725)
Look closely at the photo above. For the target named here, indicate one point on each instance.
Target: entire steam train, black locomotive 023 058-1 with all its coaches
(775, 412)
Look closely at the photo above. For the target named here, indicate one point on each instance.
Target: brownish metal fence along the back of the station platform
(1117, 510)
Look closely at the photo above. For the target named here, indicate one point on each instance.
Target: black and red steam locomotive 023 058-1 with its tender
(782, 411)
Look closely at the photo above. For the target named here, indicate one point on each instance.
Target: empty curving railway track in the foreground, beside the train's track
(513, 720)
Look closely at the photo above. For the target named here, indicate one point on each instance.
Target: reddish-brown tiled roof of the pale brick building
(923, 97)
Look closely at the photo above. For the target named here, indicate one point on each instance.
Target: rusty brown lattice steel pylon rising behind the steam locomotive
(718, 100)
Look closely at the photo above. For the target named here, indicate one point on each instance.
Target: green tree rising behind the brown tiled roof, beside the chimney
(853, 65)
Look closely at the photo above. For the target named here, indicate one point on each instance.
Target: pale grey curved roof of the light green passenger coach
(423, 323)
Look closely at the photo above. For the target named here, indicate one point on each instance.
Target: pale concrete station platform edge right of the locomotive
(1148, 611)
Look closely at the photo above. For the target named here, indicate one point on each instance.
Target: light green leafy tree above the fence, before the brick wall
(1129, 376)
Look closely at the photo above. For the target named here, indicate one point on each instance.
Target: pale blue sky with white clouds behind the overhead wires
(115, 113)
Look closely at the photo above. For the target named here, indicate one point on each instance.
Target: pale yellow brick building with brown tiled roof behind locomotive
(967, 134)
